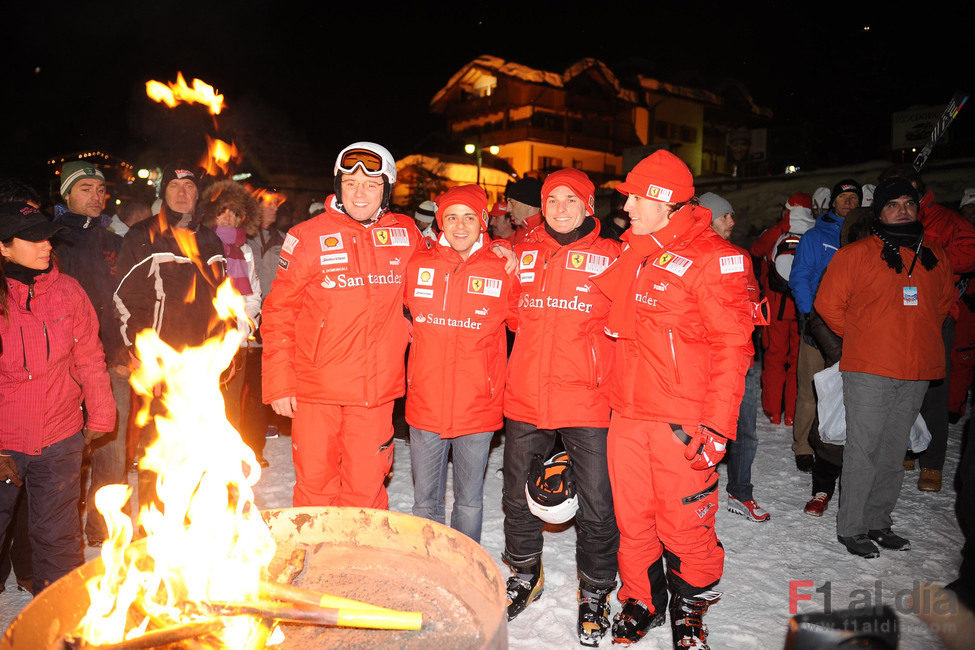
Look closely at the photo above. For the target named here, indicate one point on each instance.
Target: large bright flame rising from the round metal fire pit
(208, 541)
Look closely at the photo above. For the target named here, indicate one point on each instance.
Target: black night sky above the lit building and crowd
(330, 73)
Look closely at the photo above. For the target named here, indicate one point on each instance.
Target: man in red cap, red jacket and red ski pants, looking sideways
(683, 320)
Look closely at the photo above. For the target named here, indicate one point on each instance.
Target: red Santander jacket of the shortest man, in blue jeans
(455, 374)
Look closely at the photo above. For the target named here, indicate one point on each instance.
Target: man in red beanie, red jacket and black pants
(558, 364)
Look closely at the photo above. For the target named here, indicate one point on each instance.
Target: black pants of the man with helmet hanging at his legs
(597, 538)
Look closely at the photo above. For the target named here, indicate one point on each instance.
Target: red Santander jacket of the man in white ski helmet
(333, 325)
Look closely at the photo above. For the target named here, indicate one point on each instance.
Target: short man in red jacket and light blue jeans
(458, 294)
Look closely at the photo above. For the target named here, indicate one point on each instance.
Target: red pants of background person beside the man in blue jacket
(778, 382)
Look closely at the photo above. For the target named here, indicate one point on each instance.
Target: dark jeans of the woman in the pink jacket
(51, 480)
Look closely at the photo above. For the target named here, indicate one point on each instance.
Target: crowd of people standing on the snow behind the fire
(604, 349)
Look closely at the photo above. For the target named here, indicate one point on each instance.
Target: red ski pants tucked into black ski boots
(663, 507)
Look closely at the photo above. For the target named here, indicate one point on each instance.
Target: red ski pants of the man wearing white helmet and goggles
(342, 455)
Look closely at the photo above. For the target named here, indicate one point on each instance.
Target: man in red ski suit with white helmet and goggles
(335, 335)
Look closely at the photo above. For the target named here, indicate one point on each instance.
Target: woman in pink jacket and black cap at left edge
(55, 394)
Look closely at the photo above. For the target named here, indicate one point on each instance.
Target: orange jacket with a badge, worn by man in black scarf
(866, 303)
